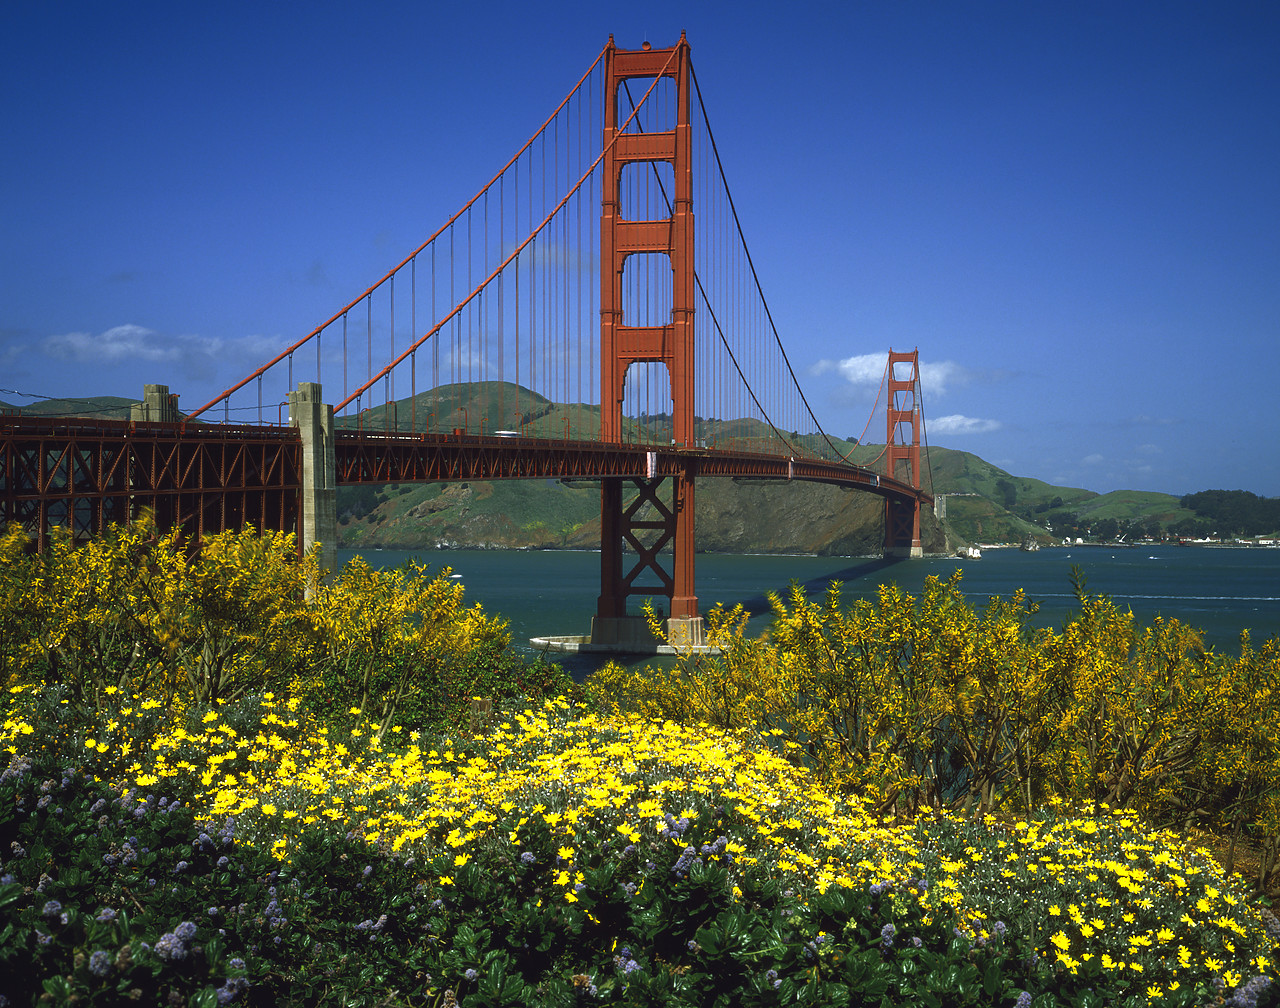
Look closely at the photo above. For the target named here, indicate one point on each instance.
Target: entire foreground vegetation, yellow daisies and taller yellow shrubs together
(227, 782)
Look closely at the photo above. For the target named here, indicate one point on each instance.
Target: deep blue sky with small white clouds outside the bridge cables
(1072, 209)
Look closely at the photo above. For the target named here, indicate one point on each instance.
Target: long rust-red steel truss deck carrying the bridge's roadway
(88, 473)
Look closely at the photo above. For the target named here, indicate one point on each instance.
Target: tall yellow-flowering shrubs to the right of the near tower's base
(930, 703)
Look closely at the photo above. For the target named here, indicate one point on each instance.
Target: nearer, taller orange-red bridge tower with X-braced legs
(624, 345)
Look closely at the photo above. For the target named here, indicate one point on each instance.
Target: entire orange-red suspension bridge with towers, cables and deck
(592, 314)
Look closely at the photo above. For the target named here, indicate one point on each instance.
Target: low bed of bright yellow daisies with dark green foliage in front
(575, 860)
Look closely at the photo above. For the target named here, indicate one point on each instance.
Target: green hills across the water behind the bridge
(982, 503)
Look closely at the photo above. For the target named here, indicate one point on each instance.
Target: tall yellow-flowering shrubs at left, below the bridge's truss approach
(139, 618)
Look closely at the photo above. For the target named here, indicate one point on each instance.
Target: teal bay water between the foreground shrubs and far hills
(1219, 592)
